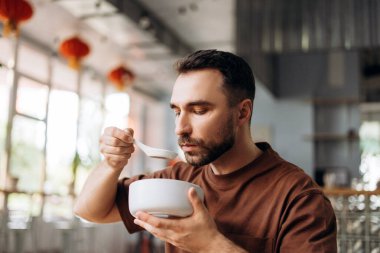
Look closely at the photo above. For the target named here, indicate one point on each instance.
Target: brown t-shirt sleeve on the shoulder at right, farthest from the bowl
(309, 225)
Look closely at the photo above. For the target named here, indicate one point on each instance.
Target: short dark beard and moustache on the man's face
(211, 151)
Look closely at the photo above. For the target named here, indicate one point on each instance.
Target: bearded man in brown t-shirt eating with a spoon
(254, 200)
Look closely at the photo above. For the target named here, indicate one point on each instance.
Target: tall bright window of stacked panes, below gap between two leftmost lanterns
(28, 135)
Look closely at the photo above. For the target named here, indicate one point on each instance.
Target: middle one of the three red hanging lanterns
(74, 50)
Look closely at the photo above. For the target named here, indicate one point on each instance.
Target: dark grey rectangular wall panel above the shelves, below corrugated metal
(321, 74)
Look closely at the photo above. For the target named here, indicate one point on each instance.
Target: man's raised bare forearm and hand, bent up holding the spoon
(96, 202)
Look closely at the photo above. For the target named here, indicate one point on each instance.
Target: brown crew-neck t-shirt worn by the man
(269, 205)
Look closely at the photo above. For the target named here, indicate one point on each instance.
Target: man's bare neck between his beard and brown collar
(237, 157)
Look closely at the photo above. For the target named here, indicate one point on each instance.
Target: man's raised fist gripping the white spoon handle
(117, 146)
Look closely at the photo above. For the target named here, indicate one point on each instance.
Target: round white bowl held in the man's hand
(162, 197)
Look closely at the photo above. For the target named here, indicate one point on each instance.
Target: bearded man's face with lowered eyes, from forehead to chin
(204, 122)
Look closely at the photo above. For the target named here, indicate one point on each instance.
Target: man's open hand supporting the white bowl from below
(196, 233)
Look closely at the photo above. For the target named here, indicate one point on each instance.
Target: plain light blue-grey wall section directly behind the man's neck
(284, 123)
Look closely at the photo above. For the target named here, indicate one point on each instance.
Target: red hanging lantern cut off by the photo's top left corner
(13, 13)
